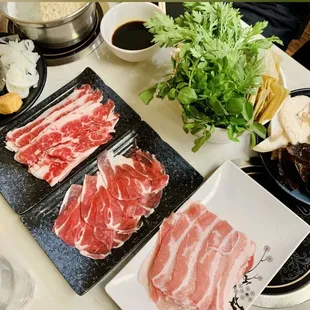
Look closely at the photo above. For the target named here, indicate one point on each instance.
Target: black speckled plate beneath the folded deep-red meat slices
(81, 272)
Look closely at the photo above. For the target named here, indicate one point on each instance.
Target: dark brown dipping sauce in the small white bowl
(132, 36)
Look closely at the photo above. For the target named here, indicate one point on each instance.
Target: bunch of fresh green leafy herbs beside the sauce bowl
(216, 66)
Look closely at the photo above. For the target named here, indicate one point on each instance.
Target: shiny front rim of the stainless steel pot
(51, 23)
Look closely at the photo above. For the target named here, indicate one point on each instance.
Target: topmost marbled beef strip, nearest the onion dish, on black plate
(18, 132)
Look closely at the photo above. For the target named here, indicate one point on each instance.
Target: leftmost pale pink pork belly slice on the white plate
(164, 264)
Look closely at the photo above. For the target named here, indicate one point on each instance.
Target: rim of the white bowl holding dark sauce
(110, 11)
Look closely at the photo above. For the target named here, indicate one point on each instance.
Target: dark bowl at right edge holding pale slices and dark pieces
(272, 165)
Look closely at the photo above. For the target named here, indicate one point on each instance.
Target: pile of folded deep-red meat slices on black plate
(104, 212)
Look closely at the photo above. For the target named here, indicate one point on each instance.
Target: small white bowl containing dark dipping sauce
(121, 14)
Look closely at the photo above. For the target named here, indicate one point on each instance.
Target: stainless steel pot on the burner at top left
(58, 33)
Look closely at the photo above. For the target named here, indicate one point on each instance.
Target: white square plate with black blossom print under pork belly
(234, 196)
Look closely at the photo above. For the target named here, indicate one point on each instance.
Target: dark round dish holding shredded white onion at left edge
(34, 93)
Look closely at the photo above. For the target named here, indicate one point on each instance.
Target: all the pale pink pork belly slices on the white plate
(197, 260)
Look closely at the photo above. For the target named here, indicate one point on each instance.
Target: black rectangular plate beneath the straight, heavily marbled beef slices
(23, 191)
